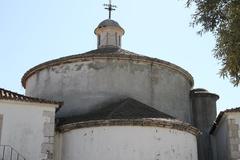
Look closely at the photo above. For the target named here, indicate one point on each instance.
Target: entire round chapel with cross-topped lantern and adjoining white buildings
(111, 103)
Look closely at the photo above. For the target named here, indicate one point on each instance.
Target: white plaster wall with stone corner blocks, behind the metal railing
(28, 128)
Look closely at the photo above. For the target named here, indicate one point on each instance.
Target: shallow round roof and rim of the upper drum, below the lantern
(110, 53)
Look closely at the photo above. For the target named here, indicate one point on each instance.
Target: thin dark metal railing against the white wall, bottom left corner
(9, 153)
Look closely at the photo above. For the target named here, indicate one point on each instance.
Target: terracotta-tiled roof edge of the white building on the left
(9, 95)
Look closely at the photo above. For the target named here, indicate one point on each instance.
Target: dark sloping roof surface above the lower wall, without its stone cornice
(123, 109)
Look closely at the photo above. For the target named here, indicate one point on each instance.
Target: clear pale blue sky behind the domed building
(32, 32)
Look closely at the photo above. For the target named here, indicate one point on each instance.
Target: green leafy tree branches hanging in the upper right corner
(222, 18)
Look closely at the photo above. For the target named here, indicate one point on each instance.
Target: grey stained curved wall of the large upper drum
(91, 84)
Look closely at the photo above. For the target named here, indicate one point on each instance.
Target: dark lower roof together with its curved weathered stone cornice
(126, 112)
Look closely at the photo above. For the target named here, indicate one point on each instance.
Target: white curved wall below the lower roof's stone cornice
(128, 143)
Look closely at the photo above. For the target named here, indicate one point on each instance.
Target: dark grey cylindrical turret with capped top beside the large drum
(204, 114)
